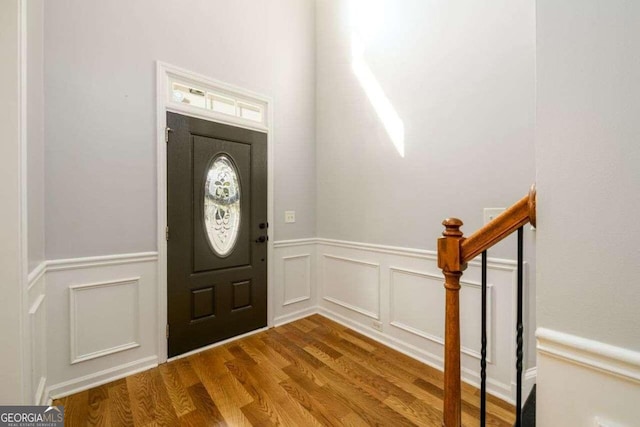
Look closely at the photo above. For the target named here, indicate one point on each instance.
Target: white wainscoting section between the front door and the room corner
(294, 280)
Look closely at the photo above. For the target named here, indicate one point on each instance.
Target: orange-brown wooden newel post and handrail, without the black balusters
(454, 251)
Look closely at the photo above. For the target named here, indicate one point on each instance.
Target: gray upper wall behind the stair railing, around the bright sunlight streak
(461, 77)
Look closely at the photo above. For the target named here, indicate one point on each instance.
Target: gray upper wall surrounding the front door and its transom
(100, 108)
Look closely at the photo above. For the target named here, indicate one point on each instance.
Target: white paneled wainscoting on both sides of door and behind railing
(105, 309)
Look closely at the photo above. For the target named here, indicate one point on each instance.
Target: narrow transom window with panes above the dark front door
(193, 95)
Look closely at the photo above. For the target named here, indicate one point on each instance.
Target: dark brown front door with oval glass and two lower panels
(217, 218)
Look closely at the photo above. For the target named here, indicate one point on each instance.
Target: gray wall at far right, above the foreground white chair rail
(588, 169)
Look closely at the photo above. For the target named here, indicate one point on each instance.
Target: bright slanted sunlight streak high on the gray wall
(366, 18)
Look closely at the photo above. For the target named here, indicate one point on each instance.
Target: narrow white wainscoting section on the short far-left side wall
(36, 331)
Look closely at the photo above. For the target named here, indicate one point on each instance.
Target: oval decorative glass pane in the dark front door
(222, 205)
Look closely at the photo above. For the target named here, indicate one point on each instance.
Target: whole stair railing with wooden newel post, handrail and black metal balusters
(454, 251)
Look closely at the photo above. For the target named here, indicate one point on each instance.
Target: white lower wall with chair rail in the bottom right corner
(585, 382)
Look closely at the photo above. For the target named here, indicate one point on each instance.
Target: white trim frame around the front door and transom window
(163, 73)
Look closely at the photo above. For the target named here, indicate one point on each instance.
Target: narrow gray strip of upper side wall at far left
(35, 132)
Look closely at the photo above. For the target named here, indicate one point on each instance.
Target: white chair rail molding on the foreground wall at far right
(610, 359)
